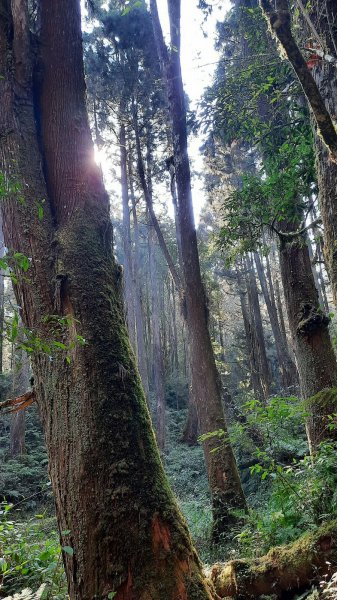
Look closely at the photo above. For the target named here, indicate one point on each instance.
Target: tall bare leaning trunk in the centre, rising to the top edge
(222, 471)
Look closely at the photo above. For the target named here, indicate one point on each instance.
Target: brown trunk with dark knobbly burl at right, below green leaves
(316, 360)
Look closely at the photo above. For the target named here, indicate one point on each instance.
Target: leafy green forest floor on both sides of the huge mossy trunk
(28, 531)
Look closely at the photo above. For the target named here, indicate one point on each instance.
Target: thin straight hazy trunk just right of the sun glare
(129, 291)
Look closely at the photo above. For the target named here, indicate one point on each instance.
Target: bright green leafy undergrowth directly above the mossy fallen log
(299, 491)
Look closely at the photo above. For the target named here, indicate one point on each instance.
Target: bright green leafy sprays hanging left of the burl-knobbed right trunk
(268, 199)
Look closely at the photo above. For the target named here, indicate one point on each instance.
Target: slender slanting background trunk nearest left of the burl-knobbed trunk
(286, 364)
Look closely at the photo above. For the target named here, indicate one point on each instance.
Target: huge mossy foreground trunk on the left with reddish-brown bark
(113, 503)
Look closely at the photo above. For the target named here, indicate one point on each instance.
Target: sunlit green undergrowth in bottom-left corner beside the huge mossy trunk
(30, 554)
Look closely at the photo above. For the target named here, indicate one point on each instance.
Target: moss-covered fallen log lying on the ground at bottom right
(282, 572)
